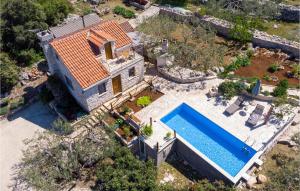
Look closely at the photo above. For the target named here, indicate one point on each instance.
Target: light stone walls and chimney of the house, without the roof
(90, 98)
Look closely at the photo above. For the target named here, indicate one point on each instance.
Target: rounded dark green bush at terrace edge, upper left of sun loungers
(229, 89)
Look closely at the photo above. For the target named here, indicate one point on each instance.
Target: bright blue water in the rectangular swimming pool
(218, 145)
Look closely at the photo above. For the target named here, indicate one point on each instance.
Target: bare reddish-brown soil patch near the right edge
(259, 68)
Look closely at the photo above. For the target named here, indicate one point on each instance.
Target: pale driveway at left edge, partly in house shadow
(36, 117)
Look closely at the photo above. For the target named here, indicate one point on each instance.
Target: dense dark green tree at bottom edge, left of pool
(125, 172)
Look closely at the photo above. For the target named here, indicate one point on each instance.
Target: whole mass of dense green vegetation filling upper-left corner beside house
(20, 20)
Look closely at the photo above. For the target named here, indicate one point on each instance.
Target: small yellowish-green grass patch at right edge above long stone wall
(290, 31)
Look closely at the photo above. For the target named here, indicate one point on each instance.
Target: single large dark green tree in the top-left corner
(21, 19)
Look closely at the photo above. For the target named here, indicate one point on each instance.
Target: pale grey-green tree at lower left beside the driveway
(52, 162)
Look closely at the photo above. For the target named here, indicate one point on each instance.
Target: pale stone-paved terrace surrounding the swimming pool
(191, 94)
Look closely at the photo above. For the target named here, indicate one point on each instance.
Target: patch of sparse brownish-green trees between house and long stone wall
(192, 47)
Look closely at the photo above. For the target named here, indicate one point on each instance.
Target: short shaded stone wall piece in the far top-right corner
(289, 12)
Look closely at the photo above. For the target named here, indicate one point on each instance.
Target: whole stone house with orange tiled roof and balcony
(96, 63)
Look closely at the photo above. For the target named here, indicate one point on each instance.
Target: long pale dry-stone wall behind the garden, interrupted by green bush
(222, 27)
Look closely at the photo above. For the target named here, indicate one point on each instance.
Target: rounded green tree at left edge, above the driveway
(8, 72)
